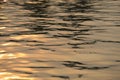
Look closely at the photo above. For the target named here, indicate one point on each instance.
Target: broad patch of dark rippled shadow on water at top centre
(68, 15)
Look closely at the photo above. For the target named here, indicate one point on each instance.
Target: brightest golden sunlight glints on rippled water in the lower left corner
(12, 76)
